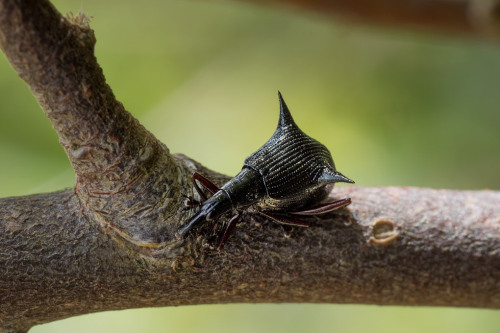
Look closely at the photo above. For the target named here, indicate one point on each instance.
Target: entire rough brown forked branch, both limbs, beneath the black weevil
(108, 243)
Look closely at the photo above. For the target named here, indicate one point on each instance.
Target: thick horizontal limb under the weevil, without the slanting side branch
(392, 246)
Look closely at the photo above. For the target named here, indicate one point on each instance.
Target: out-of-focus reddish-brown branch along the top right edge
(475, 18)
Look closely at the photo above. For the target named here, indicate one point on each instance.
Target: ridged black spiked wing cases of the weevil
(291, 162)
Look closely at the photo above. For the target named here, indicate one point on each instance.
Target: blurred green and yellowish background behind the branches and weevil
(395, 108)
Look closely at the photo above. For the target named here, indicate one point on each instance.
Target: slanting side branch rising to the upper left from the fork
(122, 170)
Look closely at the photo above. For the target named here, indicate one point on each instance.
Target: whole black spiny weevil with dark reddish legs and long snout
(289, 176)
